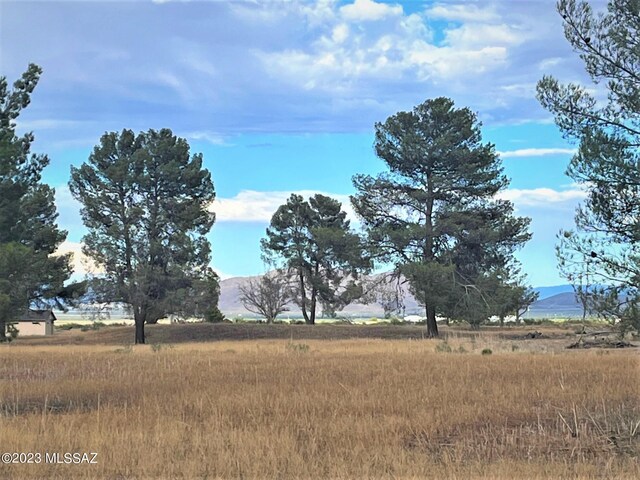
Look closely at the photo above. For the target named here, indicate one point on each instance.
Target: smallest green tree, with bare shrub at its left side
(320, 252)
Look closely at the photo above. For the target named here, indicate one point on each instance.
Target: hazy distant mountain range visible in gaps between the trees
(554, 301)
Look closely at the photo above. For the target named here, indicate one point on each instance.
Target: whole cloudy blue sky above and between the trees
(282, 96)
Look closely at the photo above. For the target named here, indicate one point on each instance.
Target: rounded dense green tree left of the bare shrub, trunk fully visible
(146, 203)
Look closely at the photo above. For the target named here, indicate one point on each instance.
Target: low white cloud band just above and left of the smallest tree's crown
(254, 206)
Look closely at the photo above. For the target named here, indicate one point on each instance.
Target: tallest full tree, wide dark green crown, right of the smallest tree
(433, 213)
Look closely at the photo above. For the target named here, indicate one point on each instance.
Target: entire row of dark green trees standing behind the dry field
(433, 215)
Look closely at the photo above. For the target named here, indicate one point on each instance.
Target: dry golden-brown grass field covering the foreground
(357, 408)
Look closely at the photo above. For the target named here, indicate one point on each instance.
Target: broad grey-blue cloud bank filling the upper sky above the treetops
(284, 66)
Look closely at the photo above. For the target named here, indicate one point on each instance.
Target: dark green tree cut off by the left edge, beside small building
(29, 235)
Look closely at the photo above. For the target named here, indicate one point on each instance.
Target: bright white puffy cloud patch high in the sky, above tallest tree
(345, 57)
